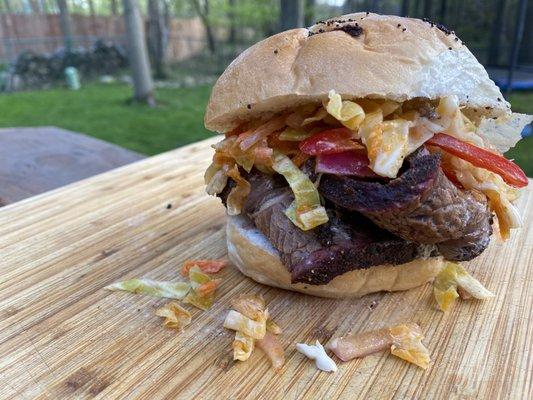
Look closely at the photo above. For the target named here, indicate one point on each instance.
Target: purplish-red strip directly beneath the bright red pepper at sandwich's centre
(346, 163)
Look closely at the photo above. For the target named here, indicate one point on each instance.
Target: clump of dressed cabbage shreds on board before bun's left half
(250, 320)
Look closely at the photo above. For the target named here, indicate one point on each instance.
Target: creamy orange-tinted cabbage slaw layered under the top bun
(389, 131)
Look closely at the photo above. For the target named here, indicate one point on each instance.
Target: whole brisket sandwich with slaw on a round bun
(361, 155)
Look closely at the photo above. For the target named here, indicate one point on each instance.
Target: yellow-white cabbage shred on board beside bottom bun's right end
(453, 277)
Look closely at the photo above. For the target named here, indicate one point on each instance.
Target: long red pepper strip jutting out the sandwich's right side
(508, 170)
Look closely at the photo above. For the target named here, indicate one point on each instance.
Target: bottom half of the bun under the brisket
(256, 258)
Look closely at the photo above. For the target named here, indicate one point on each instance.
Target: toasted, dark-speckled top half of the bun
(357, 55)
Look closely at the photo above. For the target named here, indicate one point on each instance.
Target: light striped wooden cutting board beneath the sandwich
(62, 336)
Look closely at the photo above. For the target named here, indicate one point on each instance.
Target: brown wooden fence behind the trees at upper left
(42, 34)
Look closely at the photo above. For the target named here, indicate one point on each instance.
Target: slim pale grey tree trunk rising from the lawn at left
(140, 65)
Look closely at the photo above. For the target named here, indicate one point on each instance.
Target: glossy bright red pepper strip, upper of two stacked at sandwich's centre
(331, 141)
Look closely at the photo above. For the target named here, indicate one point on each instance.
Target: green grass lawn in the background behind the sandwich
(101, 111)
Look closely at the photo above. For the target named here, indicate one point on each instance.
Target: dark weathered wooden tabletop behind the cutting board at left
(35, 160)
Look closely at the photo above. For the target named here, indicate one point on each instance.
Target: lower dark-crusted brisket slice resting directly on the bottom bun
(317, 256)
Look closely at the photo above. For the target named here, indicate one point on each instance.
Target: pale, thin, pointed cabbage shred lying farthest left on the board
(169, 290)
